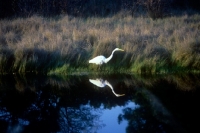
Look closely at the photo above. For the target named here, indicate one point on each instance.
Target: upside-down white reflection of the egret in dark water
(102, 83)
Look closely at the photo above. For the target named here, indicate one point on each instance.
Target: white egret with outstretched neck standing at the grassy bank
(99, 60)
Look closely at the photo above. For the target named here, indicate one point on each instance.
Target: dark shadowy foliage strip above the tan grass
(86, 8)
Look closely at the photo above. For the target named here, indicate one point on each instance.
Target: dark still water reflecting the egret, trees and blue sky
(99, 104)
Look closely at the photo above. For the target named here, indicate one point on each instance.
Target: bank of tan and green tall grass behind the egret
(65, 44)
